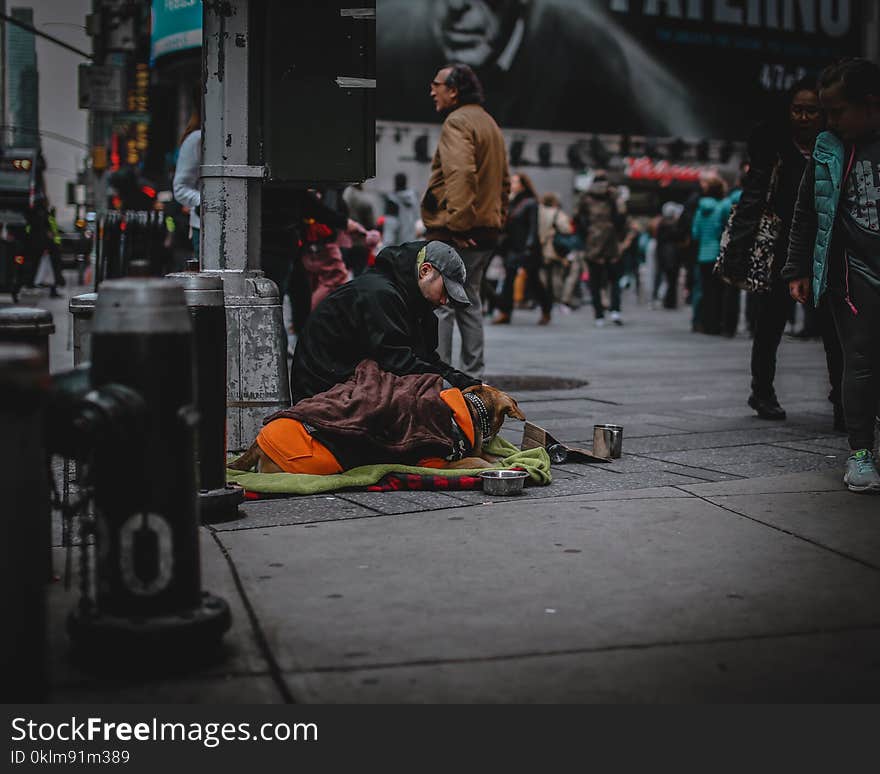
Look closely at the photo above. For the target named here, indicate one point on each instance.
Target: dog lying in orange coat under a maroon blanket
(378, 417)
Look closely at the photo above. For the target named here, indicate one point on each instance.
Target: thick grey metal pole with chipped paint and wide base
(231, 180)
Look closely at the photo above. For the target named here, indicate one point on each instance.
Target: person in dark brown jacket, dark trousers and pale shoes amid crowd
(600, 221)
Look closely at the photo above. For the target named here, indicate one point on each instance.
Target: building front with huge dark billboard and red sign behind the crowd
(654, 92)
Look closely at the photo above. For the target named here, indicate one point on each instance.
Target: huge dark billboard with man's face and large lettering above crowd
(688, 68)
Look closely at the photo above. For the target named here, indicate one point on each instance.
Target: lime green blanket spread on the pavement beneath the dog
(535, 461)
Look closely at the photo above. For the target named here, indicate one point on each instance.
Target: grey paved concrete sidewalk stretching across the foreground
(721, 559)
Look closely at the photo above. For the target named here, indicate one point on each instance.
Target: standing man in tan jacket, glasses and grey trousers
(466, 201)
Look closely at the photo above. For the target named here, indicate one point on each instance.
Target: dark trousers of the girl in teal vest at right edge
(861, 357)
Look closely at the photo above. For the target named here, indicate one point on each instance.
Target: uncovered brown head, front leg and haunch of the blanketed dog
(488, 408)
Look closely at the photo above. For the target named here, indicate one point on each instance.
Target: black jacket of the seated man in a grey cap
(381, 315)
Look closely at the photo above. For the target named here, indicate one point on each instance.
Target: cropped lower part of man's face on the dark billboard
(473, 32)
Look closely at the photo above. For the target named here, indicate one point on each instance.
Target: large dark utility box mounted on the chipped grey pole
(318, 91)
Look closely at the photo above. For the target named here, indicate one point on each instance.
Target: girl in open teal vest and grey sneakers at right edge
(834, 250)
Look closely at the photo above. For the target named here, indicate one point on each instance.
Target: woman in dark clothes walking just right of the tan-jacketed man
(522, 250)
